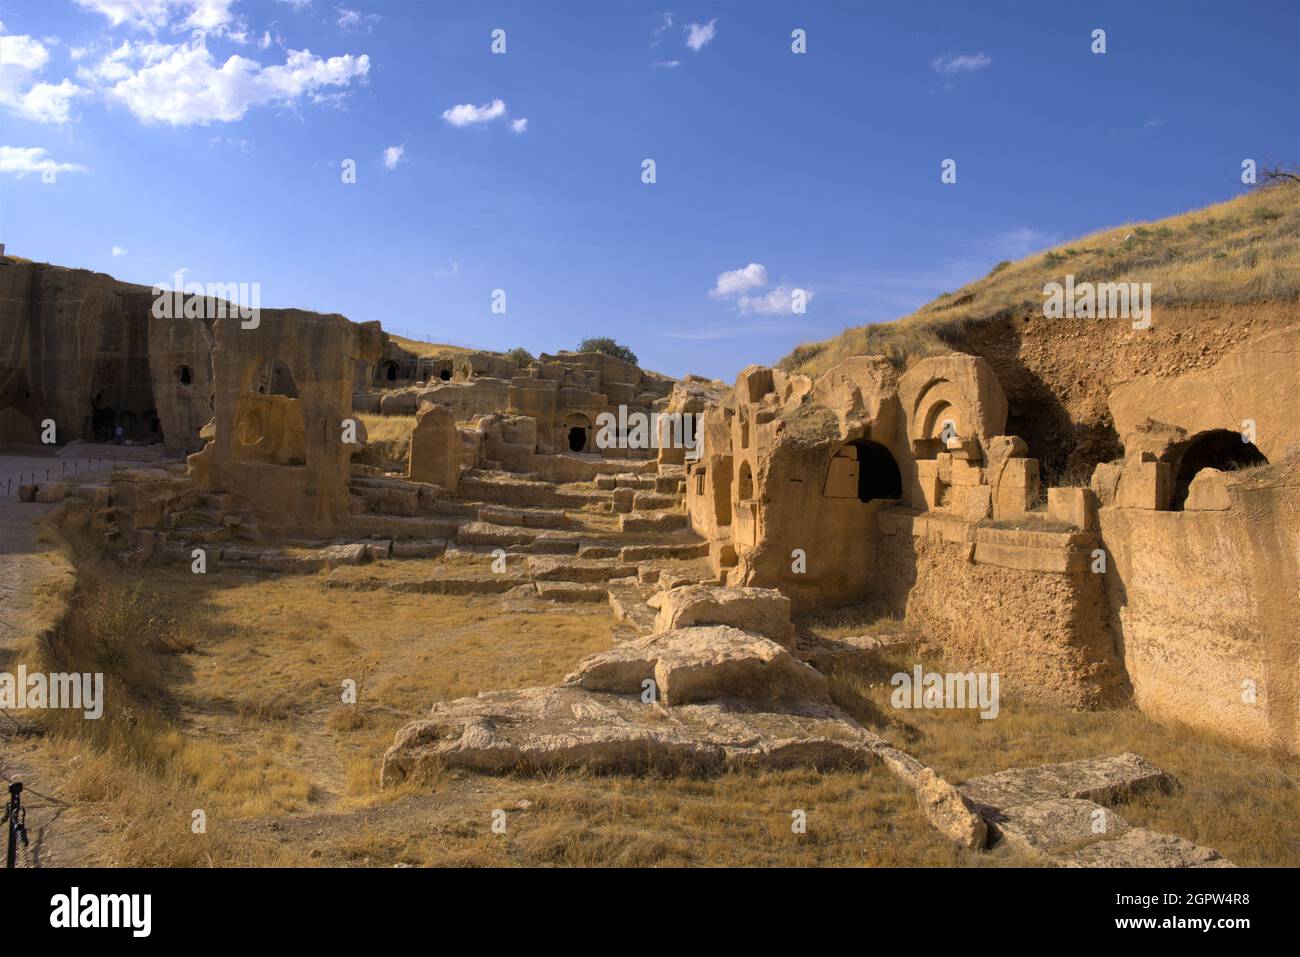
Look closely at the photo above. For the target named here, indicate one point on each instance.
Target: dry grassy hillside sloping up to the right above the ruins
(1241, 252)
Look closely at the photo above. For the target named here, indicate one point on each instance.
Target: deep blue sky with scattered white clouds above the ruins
(775, 172)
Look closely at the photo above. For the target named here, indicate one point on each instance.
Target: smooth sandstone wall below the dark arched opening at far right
(1208, 609)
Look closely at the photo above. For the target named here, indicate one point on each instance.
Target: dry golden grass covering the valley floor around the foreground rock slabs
(228, 700)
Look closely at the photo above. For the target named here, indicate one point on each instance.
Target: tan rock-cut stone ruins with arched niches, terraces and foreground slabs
(1169, 578)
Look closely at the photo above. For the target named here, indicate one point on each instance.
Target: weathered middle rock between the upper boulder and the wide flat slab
(709, 664)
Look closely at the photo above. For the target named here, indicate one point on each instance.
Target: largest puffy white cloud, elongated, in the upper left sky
(183, 85)
